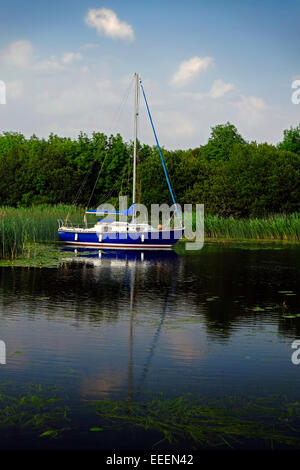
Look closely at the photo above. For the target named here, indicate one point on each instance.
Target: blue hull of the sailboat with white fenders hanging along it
(152, 240)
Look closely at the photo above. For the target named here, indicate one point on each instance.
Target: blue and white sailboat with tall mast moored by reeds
(129, 233)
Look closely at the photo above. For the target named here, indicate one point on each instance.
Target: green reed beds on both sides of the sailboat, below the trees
(23, 231)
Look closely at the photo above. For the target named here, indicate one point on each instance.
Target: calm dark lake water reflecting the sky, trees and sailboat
(128, 329)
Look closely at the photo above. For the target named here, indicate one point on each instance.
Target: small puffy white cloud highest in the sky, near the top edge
(106, 22)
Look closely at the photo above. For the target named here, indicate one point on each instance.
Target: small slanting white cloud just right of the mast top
(189, 69)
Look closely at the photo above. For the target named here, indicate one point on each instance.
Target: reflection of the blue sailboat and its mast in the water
(132, 268)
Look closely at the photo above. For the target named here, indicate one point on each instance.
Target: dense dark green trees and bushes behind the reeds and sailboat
(229, 175)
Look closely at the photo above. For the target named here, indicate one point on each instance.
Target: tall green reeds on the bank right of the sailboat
(276, 227)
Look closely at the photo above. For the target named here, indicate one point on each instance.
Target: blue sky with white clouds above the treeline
(67, 65)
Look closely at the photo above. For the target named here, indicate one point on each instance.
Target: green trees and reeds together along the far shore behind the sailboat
(250, 191)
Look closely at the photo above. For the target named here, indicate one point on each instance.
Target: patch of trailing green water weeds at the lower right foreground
(227, 422)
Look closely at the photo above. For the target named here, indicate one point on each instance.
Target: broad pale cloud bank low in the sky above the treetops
(61, 94)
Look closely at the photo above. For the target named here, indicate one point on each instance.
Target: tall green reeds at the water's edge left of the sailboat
(22, 226)
